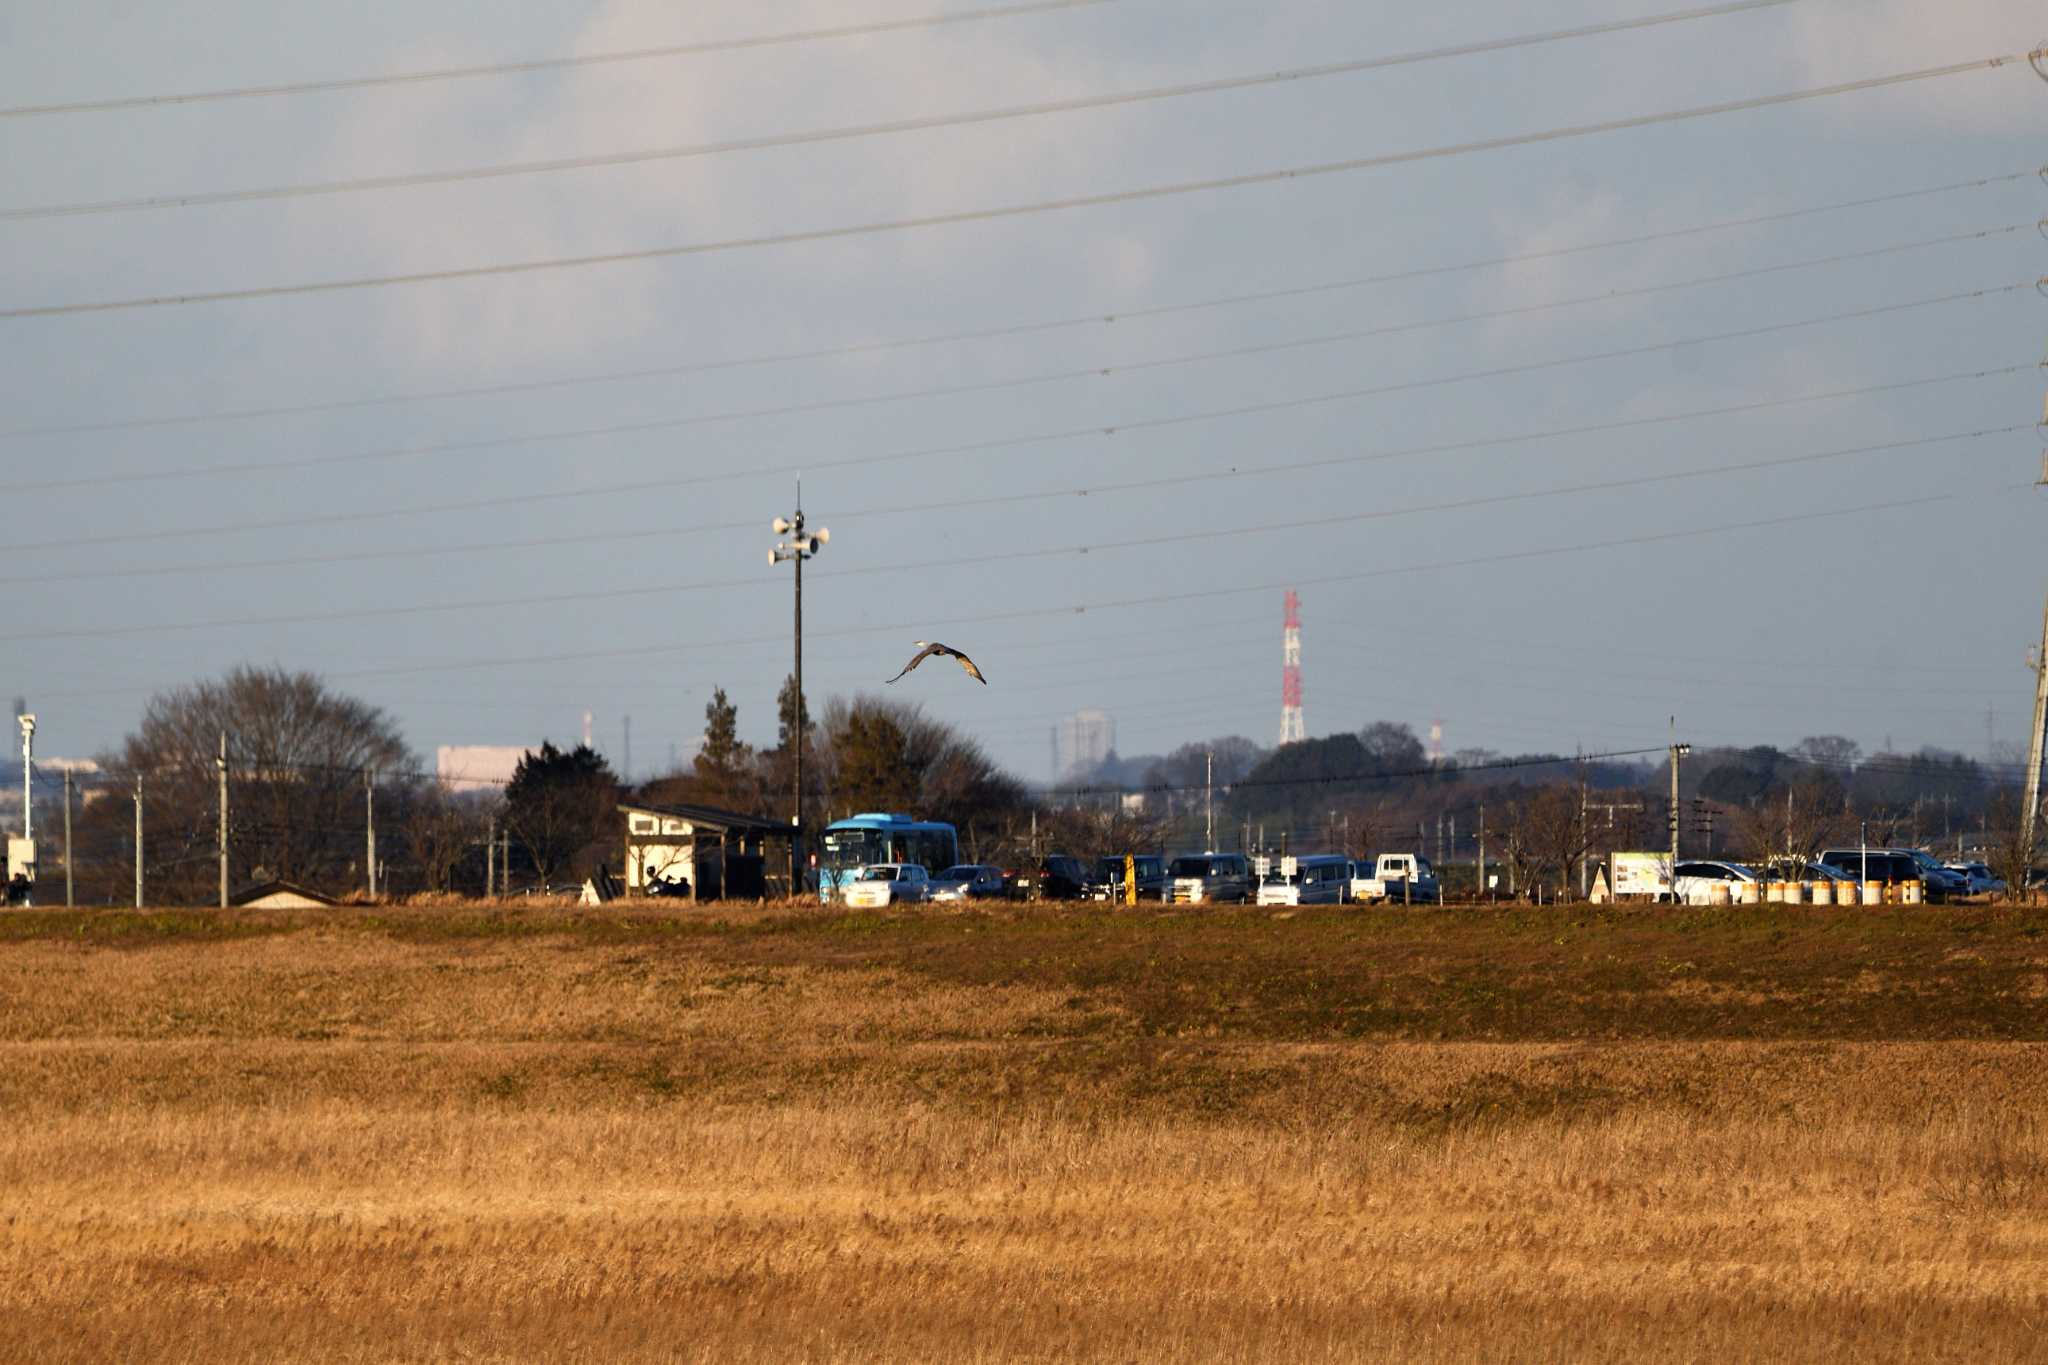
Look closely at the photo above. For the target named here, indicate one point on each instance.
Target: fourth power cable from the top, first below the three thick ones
(1029, 328)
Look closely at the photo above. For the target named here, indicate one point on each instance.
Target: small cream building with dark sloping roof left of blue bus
(706, 854)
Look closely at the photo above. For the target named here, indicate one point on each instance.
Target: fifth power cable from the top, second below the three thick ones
(994, 386)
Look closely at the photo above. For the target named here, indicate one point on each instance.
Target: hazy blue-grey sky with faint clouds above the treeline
(1768, 480)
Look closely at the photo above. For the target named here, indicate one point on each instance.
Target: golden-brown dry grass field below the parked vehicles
(450, 1135)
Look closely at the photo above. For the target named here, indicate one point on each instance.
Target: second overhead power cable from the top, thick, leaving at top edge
(869, 130)
